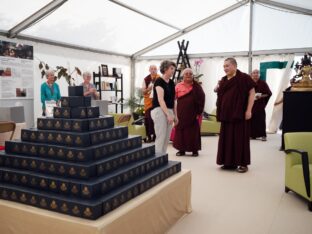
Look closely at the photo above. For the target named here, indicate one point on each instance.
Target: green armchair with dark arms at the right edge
(298, 164)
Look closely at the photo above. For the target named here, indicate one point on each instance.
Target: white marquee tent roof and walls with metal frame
(134, 34)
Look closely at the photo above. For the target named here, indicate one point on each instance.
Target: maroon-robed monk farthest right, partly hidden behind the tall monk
(263, 94)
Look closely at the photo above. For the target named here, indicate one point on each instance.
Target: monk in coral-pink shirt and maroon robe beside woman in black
(190, 105)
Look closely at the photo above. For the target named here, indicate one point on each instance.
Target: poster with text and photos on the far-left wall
(16, 70)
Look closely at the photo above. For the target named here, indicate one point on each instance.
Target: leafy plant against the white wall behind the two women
(60, 72)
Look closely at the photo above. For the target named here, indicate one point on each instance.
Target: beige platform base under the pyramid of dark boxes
(155, 211)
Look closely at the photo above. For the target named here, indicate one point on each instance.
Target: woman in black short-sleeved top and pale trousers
(164, 107)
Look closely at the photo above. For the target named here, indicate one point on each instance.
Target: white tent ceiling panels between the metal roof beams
(107, 26)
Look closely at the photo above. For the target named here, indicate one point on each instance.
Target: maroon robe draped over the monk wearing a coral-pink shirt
(187, 132)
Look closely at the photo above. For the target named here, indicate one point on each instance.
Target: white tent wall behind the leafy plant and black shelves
(71, 58)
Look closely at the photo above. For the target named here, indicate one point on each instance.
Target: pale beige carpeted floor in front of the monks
(250, 203)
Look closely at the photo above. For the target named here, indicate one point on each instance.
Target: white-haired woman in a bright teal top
(49, 91)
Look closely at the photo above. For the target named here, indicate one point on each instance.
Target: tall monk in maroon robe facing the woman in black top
(236, 96)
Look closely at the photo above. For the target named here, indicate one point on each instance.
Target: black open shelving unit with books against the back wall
(116, 86)
